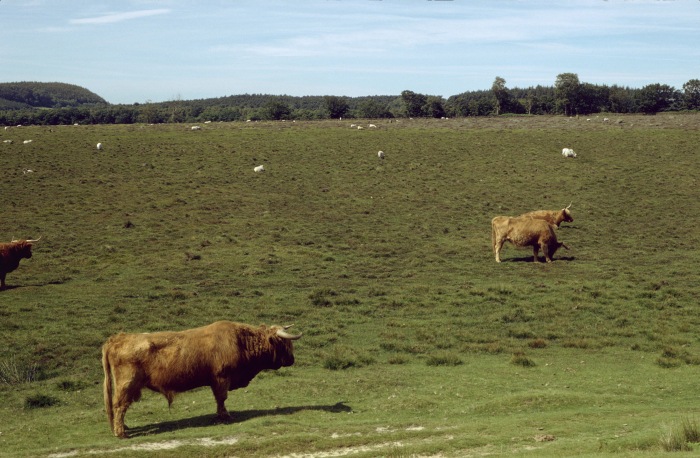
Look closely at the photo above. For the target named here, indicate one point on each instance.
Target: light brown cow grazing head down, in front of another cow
(522, 232)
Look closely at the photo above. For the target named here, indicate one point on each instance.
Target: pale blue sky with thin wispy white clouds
(135, 51)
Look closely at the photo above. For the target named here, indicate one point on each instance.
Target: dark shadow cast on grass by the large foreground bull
(238, 416)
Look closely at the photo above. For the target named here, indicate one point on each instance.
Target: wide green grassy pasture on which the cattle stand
(416, 342)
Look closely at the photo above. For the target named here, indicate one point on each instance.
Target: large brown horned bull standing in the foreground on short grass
(223, 355)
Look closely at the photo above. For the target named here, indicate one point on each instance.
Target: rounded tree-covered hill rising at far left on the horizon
(45, 95)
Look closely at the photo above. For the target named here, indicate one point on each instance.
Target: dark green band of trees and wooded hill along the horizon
(28, 103)
